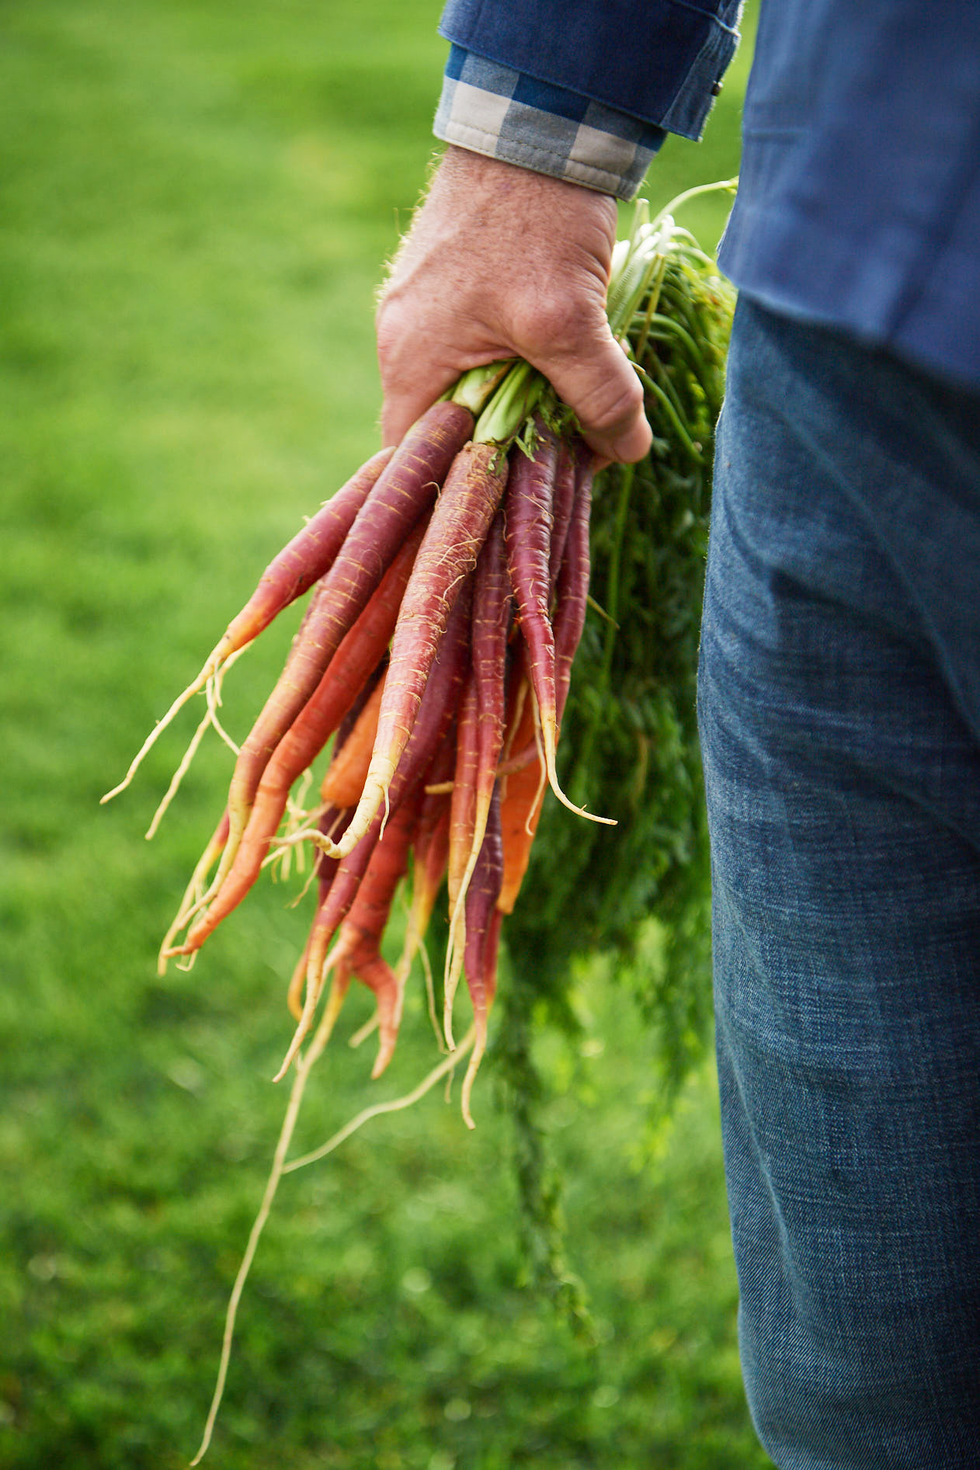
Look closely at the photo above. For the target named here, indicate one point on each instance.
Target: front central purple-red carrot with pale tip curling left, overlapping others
(449, 553)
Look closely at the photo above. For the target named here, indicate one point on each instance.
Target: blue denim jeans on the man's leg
(840, 703)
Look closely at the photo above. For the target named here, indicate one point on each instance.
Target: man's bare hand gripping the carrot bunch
(502, 262)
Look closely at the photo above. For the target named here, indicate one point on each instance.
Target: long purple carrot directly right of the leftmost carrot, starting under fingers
(402, 496)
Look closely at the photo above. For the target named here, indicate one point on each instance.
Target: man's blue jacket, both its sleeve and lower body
(860, 187)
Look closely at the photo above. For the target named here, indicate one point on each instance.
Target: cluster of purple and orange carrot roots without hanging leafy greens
(450, 586)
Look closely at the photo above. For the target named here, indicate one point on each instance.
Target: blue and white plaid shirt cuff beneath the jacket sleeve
(506, 115)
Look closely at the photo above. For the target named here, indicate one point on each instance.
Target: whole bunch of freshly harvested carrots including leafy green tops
(433, 674)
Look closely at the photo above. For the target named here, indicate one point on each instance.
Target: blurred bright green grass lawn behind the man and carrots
(198, 201)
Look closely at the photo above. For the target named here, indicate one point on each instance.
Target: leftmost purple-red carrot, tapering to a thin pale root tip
(289, 576)
